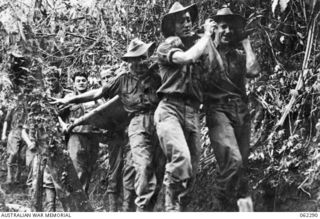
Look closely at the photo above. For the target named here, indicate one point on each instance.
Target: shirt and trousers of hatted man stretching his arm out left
(138, 95)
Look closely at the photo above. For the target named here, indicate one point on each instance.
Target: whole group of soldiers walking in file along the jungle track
(196, 72)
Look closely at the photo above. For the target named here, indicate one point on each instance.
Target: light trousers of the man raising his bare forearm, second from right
(178, 129)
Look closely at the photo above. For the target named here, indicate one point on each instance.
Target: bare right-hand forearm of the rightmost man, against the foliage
(252, 65)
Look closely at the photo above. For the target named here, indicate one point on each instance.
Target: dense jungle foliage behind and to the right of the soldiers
(87, 35)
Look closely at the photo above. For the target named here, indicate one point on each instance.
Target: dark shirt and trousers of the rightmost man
(228, 119)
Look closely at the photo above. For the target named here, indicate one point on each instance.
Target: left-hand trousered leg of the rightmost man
(227, 153)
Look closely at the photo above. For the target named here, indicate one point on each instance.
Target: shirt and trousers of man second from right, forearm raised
(177, 121)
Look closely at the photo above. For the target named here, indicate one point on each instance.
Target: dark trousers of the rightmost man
(229, 132)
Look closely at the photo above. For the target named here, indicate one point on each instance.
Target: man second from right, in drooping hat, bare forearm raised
(177, 117)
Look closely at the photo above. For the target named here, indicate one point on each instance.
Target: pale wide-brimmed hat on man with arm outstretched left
(137, 48)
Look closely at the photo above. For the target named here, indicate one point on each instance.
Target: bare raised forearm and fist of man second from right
(192, 54)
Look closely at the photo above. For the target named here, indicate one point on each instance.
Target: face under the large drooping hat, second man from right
(183, 25)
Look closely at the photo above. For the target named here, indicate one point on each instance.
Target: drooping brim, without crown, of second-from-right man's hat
(167, 24)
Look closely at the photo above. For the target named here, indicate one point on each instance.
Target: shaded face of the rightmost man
(224, 33)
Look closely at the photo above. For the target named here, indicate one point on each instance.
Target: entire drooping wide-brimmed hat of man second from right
(167, 23)
